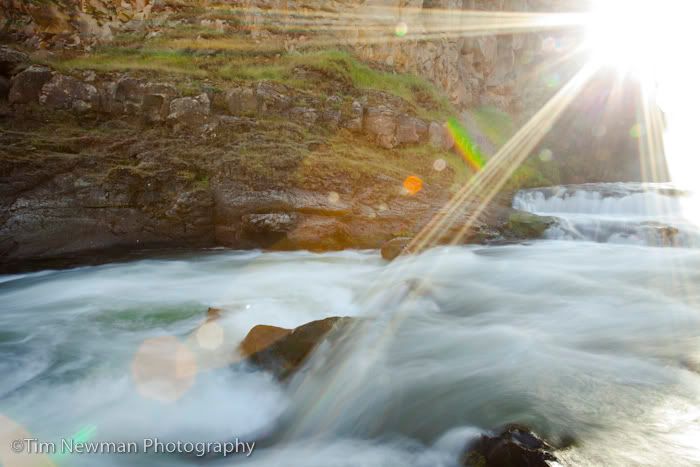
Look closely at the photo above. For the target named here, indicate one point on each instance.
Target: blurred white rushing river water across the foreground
(595, 342)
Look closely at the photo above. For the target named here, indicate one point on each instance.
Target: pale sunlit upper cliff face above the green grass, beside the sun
(473, 59)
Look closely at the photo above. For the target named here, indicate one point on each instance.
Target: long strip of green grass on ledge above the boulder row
(317, 70)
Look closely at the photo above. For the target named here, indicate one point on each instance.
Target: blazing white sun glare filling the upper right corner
(656, 42)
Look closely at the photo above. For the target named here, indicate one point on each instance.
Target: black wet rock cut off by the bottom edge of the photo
(516, 446)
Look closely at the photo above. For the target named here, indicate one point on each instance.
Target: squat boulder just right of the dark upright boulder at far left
(64, 92)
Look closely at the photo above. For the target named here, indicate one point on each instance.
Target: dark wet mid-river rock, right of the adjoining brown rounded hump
(286, 354)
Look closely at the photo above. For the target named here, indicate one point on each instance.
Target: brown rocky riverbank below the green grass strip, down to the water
(99, 164)
